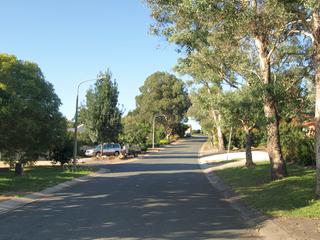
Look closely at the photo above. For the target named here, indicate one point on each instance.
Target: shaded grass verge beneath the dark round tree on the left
(35, 179)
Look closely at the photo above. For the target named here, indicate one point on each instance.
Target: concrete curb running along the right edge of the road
(265, 226)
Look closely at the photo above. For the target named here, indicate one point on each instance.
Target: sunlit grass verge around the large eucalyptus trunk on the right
(292, 196)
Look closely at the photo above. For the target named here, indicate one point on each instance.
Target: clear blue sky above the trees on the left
(72, 40)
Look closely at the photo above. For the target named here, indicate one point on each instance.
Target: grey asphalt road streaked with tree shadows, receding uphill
(163, 196)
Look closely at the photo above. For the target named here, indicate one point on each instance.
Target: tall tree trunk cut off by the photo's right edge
(316, 35)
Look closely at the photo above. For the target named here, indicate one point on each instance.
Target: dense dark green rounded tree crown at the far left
(30, 121)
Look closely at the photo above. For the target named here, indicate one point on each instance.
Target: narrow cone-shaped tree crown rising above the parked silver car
(101, 115)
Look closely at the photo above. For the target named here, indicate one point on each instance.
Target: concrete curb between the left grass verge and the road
(9, 205)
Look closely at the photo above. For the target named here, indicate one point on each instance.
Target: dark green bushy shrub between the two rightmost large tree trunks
(296, 145)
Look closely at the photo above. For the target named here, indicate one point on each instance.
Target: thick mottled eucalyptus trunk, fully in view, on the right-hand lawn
(277, 163)
